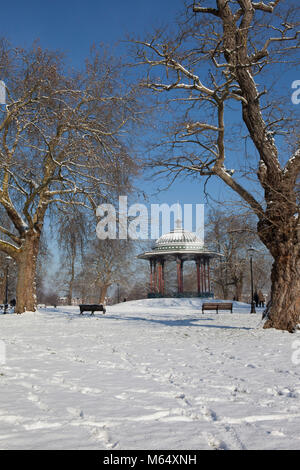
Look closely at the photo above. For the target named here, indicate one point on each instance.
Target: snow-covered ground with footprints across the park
(150, 374)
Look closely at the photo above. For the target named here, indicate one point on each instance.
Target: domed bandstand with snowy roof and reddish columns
(179, 246)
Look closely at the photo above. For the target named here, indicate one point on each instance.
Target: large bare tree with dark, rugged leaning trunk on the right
(215, 65)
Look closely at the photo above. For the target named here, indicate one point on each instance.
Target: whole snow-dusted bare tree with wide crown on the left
(62, 142)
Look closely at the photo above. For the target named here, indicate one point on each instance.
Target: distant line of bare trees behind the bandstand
(90, 269)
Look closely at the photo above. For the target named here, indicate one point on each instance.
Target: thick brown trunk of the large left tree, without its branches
(26, 283)
